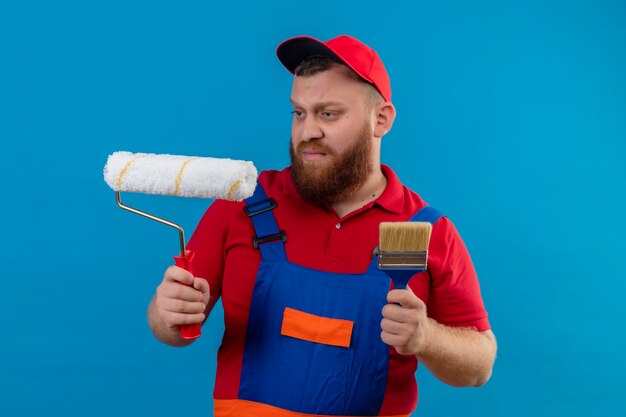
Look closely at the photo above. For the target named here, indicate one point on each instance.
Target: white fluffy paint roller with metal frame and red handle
(177, 175)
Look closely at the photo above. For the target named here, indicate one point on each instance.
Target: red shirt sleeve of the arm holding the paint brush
(454, 298)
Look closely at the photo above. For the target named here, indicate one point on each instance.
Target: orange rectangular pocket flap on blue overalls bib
(305, 326)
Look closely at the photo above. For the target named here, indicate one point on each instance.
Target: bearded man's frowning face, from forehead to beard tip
(332, 136)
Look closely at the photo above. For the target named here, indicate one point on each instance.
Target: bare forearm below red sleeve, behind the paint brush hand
(458, 356)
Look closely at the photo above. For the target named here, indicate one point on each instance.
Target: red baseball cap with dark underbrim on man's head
(351, 51)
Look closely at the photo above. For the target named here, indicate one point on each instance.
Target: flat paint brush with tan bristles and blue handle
(403, 250)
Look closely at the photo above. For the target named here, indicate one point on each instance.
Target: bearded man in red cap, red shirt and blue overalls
(311, 325)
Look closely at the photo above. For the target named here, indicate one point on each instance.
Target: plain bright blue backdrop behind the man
(511, 119)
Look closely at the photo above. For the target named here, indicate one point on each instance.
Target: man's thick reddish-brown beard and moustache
(331, 181)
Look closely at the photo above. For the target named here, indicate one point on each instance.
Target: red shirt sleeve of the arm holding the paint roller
(208, 245)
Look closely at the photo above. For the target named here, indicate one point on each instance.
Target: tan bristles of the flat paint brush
(404, 236)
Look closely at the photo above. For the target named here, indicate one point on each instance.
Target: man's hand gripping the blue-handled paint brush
(405, 325)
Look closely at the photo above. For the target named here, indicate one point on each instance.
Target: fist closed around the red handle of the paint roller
(181, 298)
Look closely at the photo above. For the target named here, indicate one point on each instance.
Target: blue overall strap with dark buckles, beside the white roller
(268, 238)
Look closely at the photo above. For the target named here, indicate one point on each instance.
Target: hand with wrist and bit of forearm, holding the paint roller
(180, 299)
